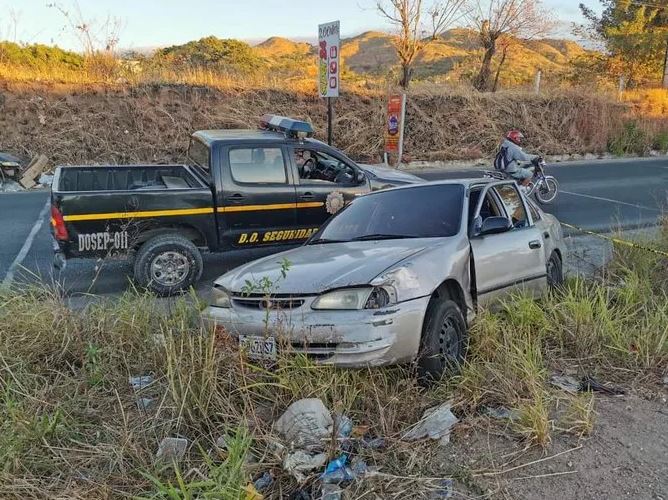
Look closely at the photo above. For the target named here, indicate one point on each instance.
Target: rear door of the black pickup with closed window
(256, 205)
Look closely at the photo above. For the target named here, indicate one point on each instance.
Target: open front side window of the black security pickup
(318, 167)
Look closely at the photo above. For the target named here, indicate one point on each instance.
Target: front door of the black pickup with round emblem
(324, 183)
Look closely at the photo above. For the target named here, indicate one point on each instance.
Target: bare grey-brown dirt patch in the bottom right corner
(626, 457)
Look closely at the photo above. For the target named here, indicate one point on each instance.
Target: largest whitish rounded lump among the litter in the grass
(306, 424)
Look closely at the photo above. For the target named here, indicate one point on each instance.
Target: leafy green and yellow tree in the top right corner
(634, 34)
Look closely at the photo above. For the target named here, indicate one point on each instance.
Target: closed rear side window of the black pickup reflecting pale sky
(257, 165)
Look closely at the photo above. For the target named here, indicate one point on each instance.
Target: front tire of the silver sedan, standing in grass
(444, 340)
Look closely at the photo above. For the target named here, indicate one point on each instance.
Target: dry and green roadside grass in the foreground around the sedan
(70, 425)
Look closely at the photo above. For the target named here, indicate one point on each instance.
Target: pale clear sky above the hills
(157, 23)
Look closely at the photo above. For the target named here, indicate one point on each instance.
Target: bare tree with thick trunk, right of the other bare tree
(494, 19)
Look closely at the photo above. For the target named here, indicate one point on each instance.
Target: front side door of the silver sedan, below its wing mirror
(509, 261)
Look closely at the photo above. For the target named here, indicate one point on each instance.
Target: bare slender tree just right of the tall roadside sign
(413, 35)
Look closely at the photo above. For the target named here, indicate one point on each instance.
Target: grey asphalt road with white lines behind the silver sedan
(600, 196)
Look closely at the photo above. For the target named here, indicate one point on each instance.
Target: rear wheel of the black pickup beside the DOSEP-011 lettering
(167, 264)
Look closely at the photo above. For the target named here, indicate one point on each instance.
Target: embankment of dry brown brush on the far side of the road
(152, 122)
